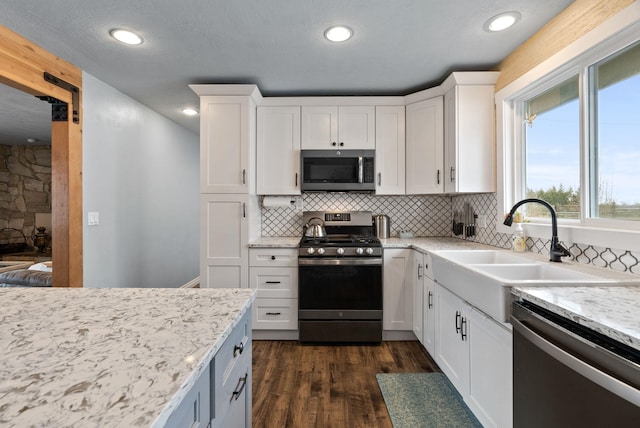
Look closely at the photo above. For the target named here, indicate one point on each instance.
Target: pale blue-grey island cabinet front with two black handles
(231, 370)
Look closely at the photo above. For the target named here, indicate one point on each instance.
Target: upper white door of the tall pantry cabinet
(226, 143)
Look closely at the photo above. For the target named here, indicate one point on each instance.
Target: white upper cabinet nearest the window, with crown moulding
(469, 135)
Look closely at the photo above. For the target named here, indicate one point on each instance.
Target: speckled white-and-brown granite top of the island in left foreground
(107, 357)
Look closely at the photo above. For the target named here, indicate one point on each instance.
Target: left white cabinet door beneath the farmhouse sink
(452, 334)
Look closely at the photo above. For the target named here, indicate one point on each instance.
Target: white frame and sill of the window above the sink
(619, 32)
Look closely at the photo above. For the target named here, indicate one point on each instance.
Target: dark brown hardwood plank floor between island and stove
(297, 385)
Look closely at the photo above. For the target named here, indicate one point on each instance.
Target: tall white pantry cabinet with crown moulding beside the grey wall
(229, 207)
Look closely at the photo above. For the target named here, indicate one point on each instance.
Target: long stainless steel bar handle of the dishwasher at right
(615, 386)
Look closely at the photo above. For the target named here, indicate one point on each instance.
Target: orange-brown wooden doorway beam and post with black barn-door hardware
(22, 66)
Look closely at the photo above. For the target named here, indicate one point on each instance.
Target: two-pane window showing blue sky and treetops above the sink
(586, 165)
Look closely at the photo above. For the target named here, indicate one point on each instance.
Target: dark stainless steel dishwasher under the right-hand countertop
(566, 375)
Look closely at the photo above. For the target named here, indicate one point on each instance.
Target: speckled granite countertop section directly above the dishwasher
(610, 310)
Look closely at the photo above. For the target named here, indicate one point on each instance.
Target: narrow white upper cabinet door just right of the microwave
(390, 150)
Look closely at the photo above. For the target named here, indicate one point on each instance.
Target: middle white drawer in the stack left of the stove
(274, 282)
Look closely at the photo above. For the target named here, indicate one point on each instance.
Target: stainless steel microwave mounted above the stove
(338, 170)
